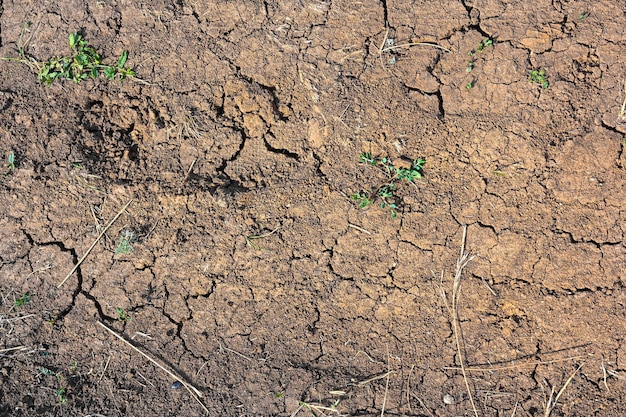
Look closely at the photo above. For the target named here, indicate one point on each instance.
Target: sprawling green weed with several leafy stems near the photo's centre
(386, 191)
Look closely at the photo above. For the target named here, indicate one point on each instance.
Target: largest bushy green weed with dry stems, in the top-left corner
(83, 63)
